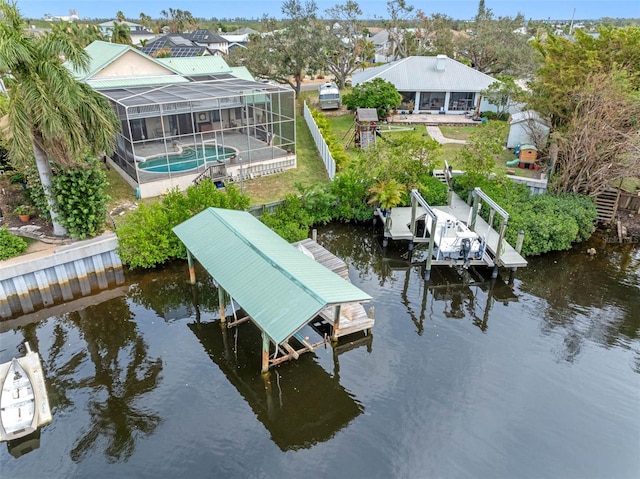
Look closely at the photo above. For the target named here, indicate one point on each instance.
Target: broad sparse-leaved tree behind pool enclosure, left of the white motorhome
(285, 55)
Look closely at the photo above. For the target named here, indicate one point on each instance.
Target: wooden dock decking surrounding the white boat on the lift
(399, 228)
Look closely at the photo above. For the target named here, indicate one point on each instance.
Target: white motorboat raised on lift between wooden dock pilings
(453, 240)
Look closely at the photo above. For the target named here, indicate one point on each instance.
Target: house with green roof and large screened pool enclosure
(191, 117)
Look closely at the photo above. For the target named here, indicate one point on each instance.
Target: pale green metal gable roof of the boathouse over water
(280, 287)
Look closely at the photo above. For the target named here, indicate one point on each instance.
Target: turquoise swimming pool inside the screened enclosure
(191, 157)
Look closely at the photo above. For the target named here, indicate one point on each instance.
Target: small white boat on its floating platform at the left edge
(24, 405)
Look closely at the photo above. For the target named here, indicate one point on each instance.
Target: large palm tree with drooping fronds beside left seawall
(52, 117)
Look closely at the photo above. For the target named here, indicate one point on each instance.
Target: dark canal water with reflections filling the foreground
(535, 376)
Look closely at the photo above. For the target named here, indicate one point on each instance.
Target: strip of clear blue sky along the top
(371, 9)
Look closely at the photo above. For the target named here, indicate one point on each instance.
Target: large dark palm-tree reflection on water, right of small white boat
(123, 374)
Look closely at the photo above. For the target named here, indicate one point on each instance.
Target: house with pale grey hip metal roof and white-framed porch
(432, 84)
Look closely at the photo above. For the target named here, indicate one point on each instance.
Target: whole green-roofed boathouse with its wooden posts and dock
(281, 287)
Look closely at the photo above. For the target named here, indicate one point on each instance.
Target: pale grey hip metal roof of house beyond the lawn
(420, 74)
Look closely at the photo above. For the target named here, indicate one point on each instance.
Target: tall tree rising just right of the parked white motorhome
(344, 47)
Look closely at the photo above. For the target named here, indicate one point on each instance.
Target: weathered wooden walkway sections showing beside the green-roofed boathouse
(353, 317)
